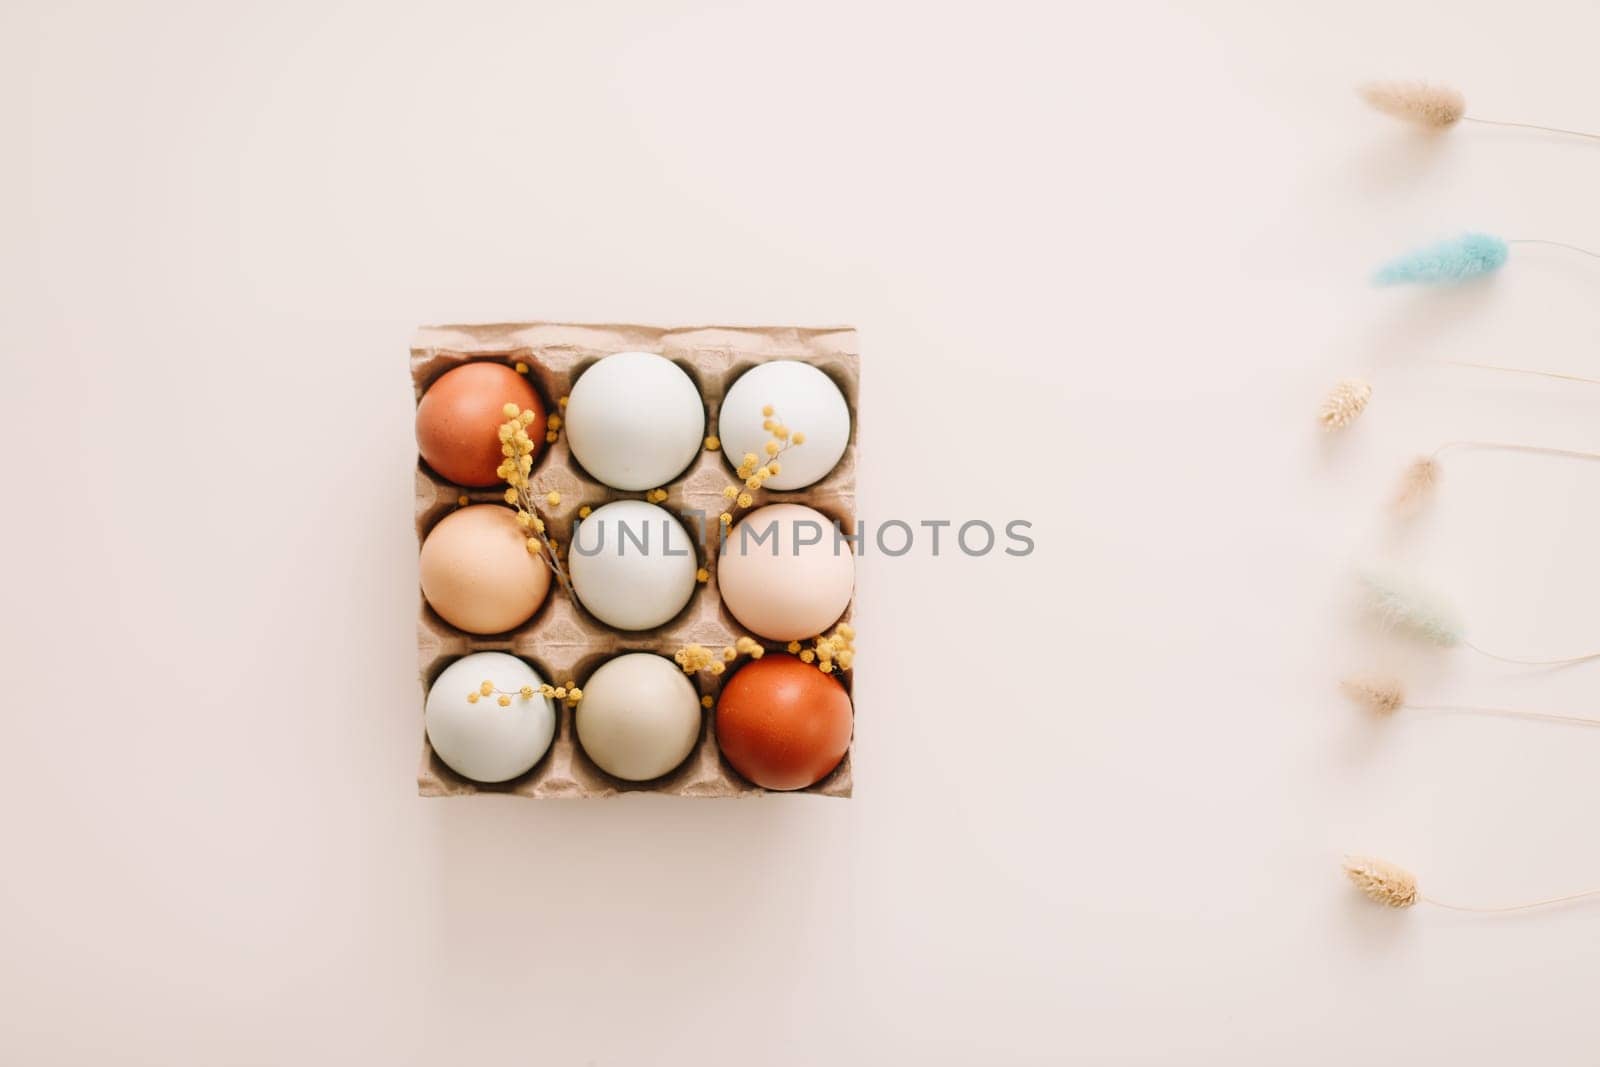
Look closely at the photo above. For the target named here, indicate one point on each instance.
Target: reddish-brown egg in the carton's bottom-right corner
(783, 724)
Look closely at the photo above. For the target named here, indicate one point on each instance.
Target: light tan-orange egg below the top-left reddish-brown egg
(478, 572)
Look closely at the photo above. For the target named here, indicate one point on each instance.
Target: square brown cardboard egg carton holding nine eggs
(564, 642)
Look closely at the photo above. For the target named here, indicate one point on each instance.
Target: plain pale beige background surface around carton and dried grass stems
(1105, 258)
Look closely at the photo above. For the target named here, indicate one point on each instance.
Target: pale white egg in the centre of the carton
(633, 565)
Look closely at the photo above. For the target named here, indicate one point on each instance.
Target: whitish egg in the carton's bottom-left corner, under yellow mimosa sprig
(474, 733)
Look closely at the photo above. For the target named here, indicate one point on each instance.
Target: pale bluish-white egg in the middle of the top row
(634, 422)
